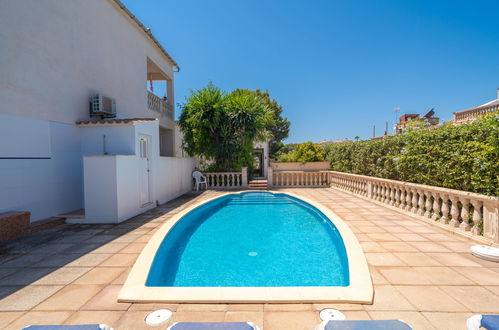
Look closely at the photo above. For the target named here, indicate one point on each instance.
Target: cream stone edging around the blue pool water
(360, 289)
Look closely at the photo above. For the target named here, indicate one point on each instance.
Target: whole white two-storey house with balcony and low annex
(54, 57)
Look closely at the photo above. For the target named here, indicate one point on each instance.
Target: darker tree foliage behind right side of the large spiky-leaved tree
(278, 128)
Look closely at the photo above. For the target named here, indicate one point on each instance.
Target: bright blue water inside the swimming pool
(251, 239)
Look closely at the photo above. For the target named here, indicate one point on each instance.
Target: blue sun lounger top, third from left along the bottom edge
(362, 325)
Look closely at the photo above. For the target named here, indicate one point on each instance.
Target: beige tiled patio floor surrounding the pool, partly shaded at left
(72, 274)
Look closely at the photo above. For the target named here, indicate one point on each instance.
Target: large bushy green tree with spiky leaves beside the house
(221, 127)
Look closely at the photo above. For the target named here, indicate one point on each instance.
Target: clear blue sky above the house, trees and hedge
(338, 68)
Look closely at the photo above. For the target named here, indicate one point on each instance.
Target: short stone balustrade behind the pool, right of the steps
(299, 179)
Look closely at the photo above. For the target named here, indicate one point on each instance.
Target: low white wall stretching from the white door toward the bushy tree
(174, 178)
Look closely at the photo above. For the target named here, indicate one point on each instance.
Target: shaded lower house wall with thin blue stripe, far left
(43, 172)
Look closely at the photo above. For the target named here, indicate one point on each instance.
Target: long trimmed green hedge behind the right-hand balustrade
(462, 157)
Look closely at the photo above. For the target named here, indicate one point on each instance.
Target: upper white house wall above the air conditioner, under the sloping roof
(54, 54)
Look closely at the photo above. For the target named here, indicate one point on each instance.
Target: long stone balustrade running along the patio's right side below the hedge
(464, 211)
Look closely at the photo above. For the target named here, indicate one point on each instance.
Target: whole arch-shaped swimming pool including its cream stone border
(251, 247)
